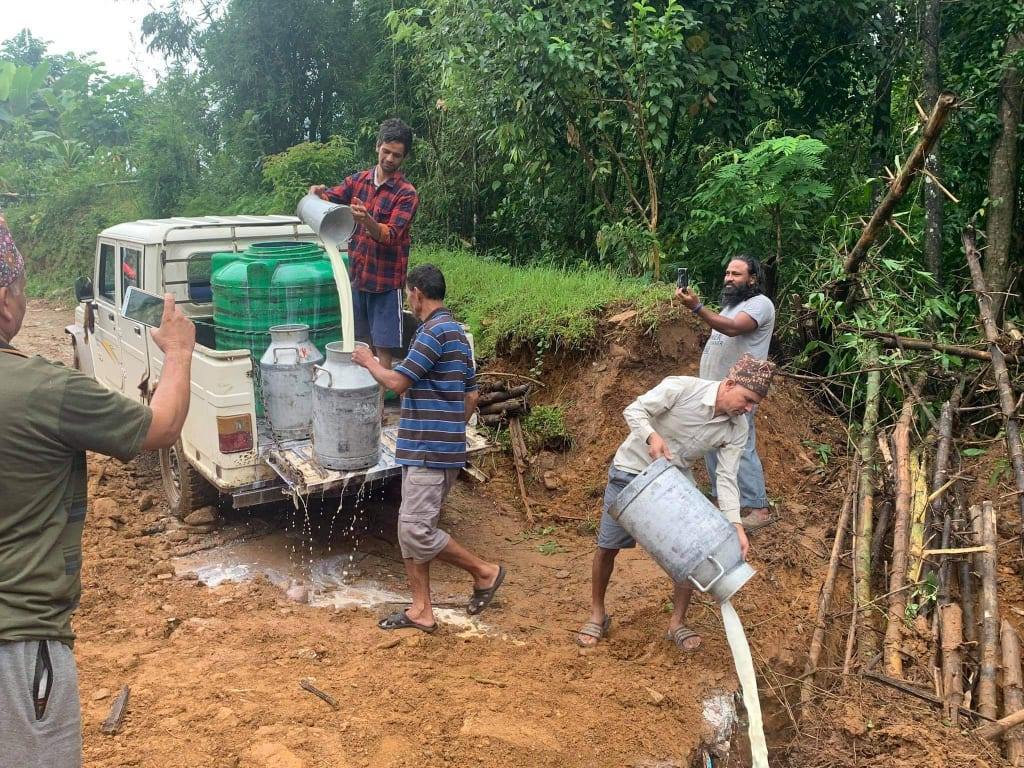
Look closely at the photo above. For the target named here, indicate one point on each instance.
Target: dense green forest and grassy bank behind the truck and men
(564, 138)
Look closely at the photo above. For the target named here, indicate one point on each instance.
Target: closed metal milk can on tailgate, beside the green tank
(287, 375)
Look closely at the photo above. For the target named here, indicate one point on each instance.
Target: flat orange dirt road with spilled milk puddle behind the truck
(215, 671)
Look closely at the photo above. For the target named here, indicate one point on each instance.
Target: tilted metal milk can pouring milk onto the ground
(686, 534)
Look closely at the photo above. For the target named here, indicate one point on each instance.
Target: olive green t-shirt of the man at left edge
(50, 417)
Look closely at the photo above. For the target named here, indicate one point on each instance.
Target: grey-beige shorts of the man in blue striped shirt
(423, 493)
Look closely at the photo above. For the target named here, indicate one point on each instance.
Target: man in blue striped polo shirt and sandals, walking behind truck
(439, 389)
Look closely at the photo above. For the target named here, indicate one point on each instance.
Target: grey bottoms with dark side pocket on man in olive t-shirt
(54, 740)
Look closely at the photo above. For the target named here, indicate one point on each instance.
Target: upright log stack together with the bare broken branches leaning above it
(923, 561)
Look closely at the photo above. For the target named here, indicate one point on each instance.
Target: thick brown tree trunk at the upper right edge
(1003, 181)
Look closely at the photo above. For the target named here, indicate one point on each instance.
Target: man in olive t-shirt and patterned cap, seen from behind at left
(52, 416)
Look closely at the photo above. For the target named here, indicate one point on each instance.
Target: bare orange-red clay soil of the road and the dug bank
(215, 673)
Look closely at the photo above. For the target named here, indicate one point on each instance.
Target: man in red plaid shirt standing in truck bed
(383, 204)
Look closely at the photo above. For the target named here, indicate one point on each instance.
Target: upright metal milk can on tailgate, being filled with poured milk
(348, 408)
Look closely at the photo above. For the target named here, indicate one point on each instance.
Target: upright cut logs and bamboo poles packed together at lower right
(924, 565)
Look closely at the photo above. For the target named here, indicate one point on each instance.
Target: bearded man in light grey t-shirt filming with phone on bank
(744, 326)
